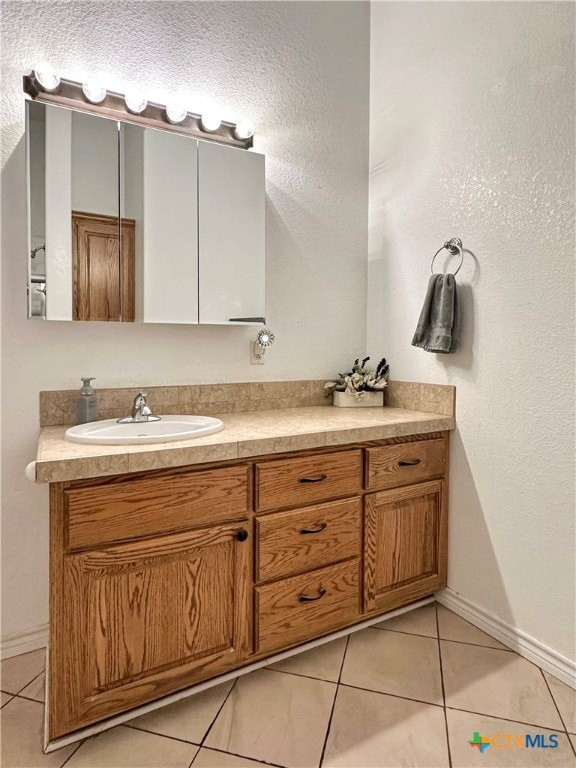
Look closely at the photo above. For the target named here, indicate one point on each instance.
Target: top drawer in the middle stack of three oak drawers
(301, 481)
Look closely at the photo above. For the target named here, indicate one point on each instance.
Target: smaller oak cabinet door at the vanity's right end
(405, 545)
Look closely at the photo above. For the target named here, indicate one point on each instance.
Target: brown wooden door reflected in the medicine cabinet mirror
(103, 274)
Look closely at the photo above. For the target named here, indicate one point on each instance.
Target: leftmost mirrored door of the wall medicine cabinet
(74, 233)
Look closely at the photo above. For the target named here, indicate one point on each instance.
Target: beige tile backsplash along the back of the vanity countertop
(57, 407)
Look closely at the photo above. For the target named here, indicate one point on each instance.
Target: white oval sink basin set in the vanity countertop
(109, 432)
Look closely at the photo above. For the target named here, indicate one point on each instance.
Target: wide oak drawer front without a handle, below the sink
(134, 507)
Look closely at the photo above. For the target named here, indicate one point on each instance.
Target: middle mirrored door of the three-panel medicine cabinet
(159, 199)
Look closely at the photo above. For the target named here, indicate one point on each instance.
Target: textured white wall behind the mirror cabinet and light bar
(288, 66)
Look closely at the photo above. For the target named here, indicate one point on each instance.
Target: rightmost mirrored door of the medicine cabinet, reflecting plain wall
(231, 211)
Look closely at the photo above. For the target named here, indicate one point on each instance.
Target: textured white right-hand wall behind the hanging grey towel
(472, 135)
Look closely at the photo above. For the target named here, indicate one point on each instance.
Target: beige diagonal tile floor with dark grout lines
(411, 691)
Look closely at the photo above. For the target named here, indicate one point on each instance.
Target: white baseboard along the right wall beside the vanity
(527, 646)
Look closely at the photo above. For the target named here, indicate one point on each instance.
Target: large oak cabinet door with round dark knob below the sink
(135, 622)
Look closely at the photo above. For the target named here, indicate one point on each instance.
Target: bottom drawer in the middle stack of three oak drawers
(285, 618)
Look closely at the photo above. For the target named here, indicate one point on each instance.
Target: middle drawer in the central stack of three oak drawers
(299, 540)
